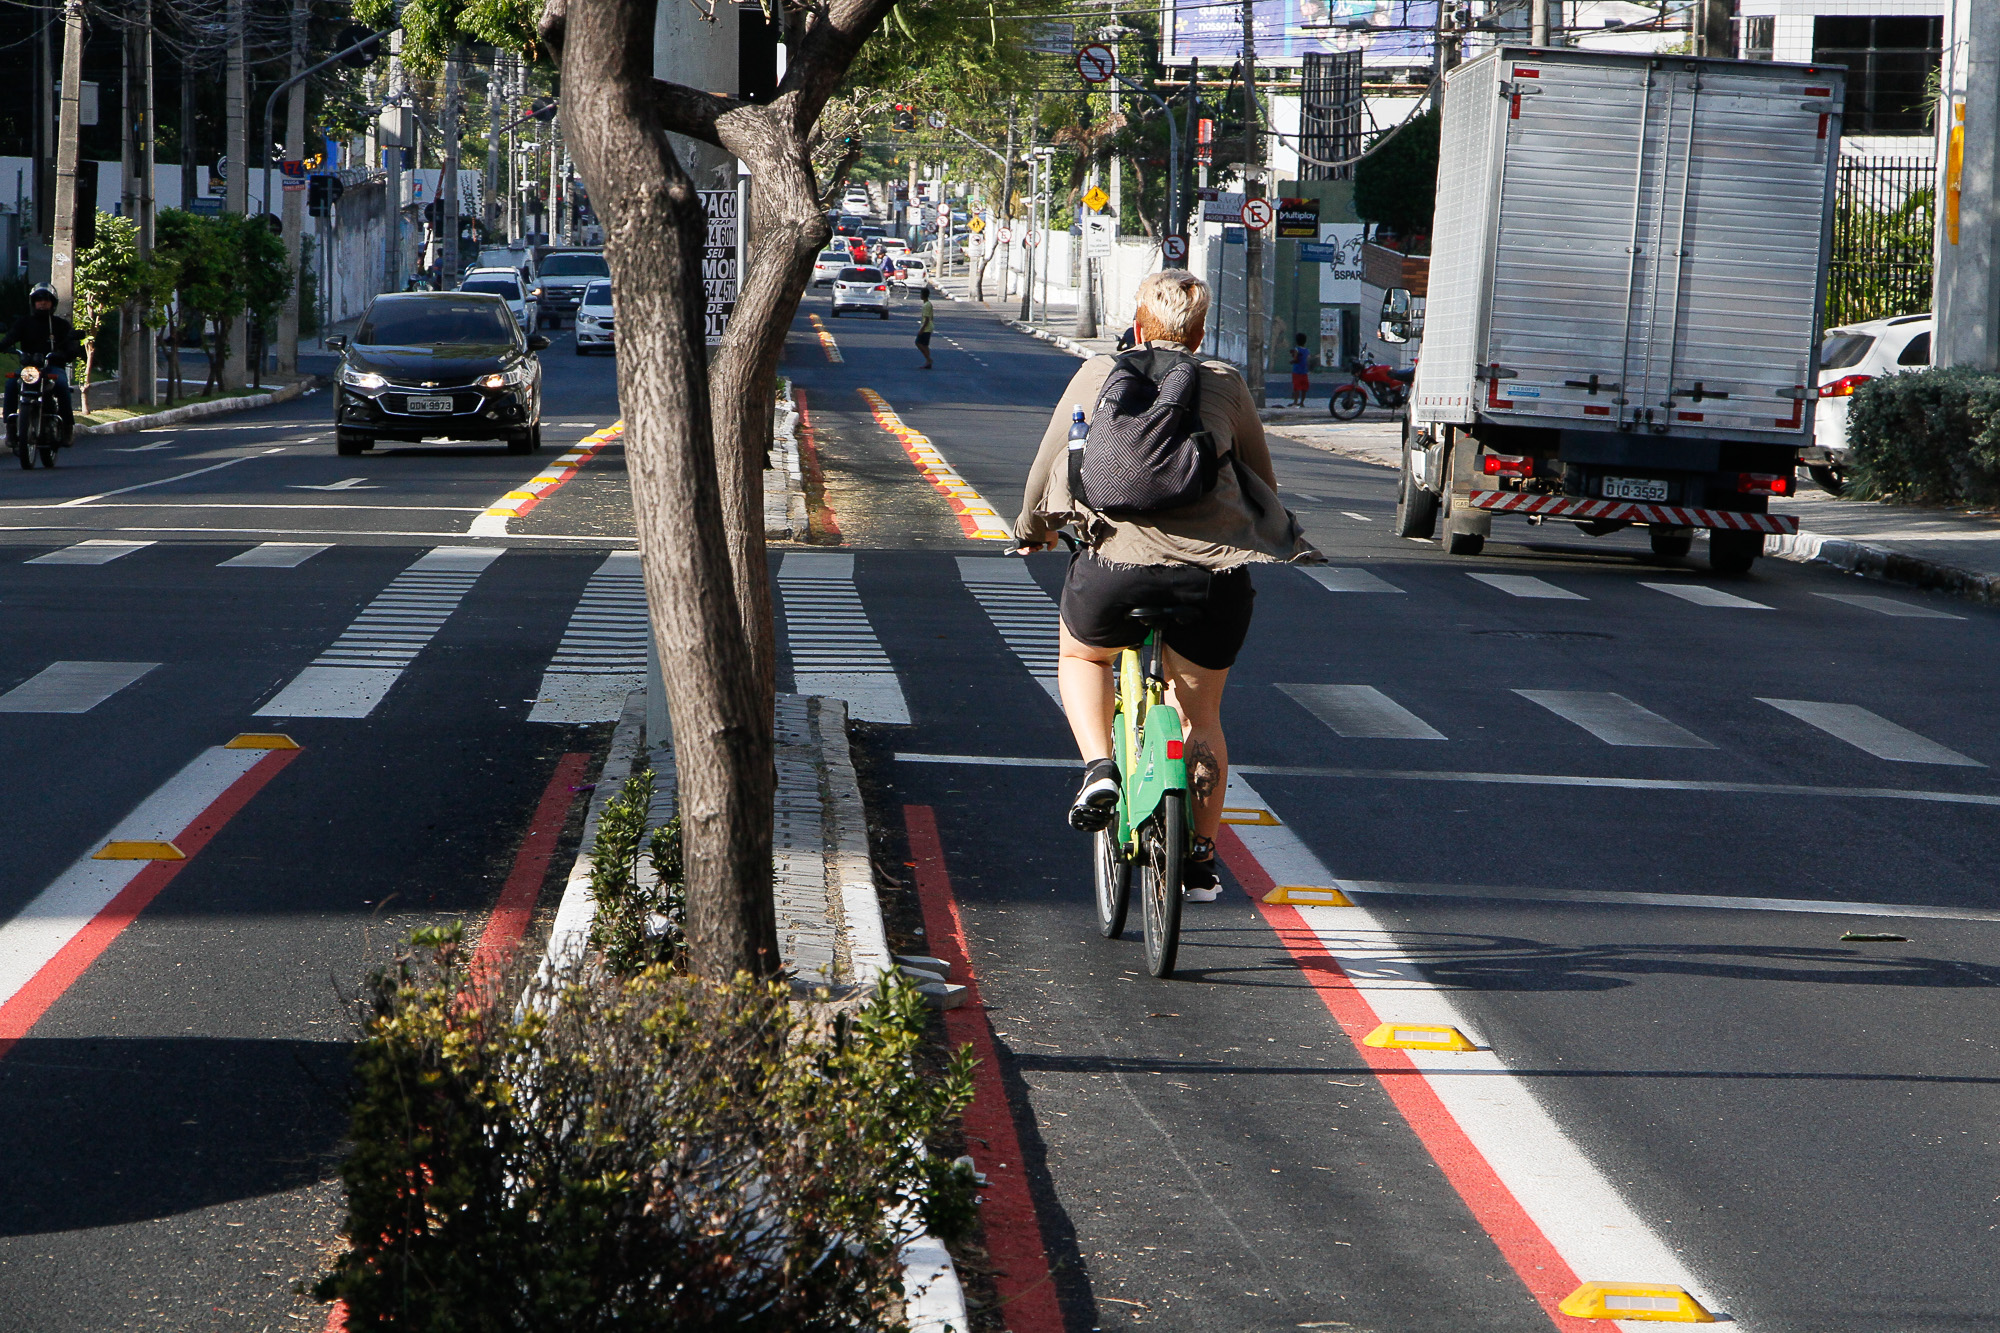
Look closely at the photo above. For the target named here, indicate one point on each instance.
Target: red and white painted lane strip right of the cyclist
(1555, 1218)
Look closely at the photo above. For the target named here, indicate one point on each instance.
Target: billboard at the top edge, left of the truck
(1389, 33)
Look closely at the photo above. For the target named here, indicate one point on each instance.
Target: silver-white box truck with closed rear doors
(1627, 273)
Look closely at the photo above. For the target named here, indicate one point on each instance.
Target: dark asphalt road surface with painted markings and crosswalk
(1607, 818)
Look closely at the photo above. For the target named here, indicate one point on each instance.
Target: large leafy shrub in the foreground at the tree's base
(647, 1152)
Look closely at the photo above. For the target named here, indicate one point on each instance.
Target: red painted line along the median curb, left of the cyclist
(1013, 1228)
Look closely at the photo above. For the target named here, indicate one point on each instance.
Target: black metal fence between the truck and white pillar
(1885, 211)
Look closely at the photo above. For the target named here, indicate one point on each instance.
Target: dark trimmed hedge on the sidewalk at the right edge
(1927, 437)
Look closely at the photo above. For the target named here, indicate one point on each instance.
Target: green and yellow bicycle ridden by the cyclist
(1151, 830)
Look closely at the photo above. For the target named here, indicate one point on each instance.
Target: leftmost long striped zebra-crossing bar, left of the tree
(353, 676)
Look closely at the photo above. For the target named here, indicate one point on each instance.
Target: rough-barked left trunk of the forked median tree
(653, 243)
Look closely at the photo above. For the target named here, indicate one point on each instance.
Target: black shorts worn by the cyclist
(1099, 599)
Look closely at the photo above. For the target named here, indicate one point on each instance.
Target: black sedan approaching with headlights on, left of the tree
(439, 365)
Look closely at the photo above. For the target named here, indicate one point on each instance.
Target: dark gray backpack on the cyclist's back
(1147, 449)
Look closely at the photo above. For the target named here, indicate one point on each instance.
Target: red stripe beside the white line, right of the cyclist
(1539, 1266)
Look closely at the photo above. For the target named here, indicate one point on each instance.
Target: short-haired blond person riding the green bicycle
(1193, 557)
